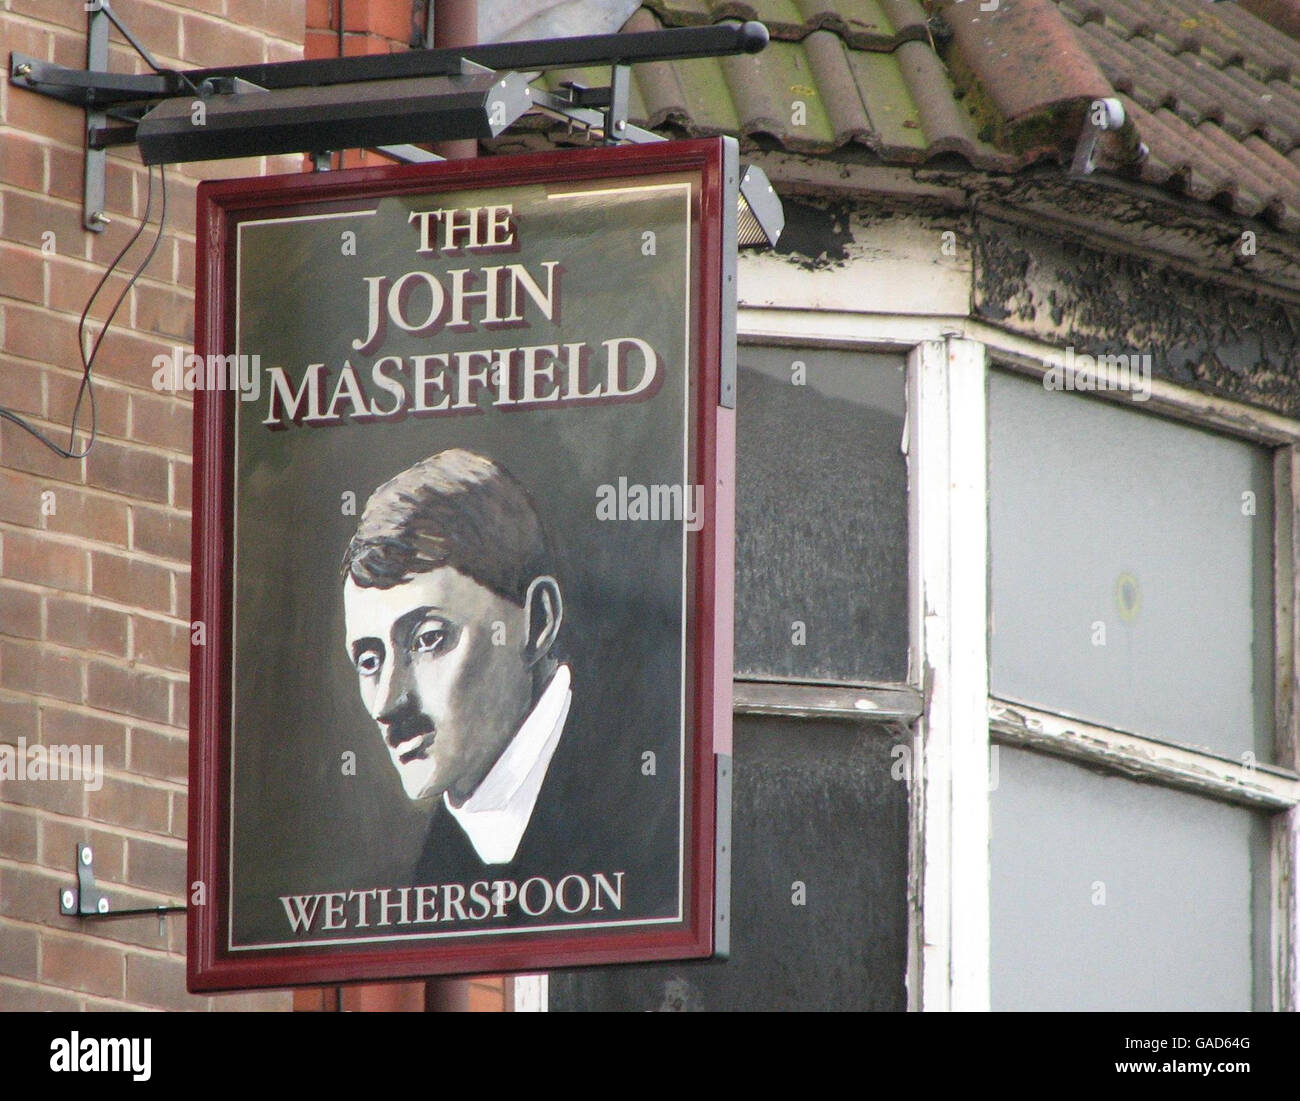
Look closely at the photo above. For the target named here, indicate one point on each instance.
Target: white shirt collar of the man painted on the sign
(497, 814)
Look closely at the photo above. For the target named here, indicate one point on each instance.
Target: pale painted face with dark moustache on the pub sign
(447, 699)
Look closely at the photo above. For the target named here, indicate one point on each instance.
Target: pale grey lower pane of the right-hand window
(1110, 895)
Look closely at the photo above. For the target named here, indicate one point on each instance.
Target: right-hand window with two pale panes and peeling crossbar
(1133, 628)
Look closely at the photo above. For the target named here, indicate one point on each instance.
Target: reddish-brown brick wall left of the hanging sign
(94, 553)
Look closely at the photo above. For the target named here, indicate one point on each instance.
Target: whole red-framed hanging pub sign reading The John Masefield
(463, 566)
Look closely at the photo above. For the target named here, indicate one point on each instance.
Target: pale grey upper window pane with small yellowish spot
(1132, 583)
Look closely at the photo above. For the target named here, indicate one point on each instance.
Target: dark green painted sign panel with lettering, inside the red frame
(465, 703)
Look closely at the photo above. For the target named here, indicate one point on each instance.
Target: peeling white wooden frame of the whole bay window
(956, 725)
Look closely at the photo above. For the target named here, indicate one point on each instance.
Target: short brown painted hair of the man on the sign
(454, 509)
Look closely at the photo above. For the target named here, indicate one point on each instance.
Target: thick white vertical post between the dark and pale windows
(950, 965)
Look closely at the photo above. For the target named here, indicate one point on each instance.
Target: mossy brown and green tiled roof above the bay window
(1212, 90)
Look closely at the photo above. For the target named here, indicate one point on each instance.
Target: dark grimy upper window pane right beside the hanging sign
(821, 515)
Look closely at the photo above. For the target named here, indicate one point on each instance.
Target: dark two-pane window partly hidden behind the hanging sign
(821, 803)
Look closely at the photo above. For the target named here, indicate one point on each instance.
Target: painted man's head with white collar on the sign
(453, 613)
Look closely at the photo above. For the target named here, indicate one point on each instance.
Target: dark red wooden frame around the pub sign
(222, 206)
